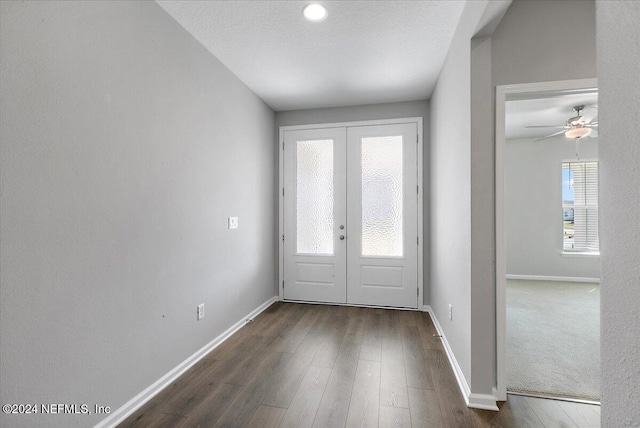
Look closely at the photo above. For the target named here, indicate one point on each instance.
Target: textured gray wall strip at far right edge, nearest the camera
(618, 70)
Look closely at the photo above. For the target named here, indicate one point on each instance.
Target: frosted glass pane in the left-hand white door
(314, 197)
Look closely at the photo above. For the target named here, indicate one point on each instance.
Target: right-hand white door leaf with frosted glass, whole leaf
(382, 220)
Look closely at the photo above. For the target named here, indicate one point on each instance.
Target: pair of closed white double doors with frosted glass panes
(350, 215)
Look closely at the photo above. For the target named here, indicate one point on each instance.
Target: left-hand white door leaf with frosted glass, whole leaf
(314, 215)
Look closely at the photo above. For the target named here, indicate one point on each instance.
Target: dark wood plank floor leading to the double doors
(301, 365)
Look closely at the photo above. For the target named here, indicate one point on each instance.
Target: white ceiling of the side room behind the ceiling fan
(553, 109)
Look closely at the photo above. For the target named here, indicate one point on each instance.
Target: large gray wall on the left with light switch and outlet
(124, 147)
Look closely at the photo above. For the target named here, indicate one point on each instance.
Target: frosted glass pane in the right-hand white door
(382, 203)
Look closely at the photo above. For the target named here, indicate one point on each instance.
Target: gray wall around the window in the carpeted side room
(533, 199)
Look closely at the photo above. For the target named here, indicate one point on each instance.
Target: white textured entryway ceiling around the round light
(365, 52)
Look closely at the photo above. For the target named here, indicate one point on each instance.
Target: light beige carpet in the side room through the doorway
(553, 338)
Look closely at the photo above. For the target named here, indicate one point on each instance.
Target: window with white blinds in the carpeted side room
(580, 207)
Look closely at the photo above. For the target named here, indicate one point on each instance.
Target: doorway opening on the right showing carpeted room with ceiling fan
(547, 252)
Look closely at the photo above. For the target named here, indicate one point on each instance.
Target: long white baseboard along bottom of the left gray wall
(139, 400)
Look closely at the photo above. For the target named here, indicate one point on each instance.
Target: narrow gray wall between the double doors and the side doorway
(451, 191)
